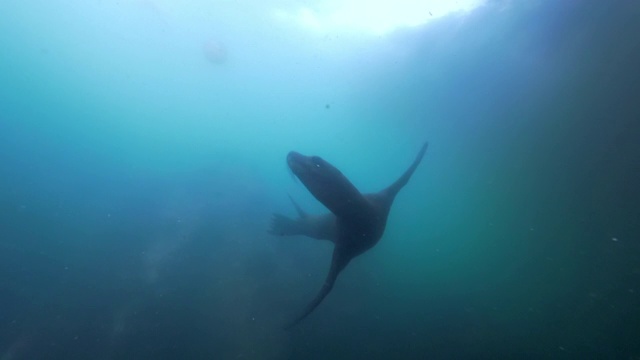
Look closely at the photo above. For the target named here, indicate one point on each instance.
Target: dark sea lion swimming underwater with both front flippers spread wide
(356, 221)
